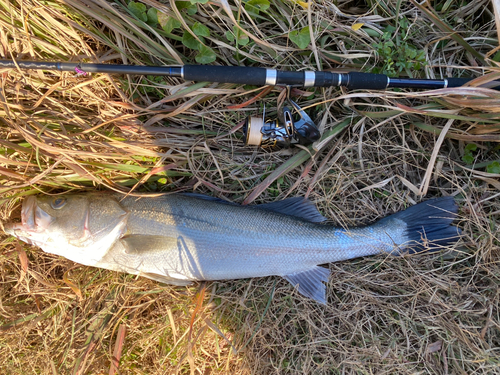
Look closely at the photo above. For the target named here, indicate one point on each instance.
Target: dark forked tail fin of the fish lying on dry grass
(428, 225)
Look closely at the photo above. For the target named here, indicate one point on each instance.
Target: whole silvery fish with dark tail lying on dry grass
(186, 237)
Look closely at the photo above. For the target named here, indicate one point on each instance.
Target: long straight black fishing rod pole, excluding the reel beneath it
(249, 75)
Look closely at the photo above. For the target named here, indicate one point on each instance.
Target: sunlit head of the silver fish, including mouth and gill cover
(80, 227)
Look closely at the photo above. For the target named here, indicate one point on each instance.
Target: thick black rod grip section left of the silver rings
(226, 74)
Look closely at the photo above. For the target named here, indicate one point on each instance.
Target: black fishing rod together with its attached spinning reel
(281, 132)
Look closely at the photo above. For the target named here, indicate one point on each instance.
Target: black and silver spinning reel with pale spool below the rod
(283, 131)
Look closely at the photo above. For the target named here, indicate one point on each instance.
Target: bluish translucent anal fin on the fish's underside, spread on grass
(310, 283)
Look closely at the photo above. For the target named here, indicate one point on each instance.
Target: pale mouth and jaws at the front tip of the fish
(33, 220)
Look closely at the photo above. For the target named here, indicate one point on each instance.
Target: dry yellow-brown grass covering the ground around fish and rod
(422, 314)
